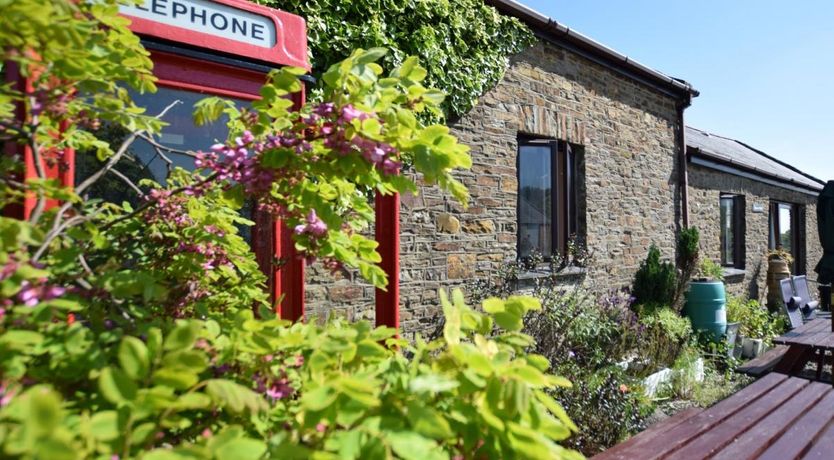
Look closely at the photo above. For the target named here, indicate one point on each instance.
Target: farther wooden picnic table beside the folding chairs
(811, 341)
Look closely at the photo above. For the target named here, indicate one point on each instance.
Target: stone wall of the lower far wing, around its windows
(705, 187)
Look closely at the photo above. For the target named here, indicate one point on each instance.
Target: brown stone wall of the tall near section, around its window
(627, 177)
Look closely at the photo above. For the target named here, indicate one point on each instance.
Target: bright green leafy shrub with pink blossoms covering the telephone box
(145, 331)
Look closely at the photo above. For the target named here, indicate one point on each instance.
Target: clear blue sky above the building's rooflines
(765, 68)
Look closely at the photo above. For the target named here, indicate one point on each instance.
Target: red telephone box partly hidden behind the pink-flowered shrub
(226, 48)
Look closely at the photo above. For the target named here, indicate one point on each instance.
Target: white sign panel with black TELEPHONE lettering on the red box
(207, 17)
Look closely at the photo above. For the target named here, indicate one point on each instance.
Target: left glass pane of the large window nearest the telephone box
(535, 194)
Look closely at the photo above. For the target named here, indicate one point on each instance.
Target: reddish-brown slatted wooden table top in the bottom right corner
(775, 417)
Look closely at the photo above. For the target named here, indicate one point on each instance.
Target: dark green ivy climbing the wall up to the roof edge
(464, 45)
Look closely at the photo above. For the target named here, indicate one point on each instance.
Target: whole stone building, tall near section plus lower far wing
(575, 140)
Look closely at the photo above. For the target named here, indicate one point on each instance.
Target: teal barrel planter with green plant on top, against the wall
(706, 300)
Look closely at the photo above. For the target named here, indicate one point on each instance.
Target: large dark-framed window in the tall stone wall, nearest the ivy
(547, 196)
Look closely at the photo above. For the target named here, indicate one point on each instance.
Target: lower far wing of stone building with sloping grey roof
(745, 203)
